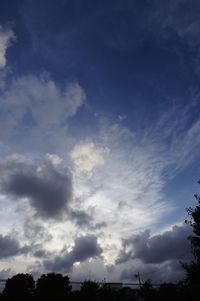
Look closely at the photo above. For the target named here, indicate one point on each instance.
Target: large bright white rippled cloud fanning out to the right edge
(128, 191)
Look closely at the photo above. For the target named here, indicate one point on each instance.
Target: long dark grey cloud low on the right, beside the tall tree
(170, 245)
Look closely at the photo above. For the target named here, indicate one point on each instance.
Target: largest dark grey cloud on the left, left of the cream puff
(47, 189)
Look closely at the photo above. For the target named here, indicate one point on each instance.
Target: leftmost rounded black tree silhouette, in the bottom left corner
(19, 287)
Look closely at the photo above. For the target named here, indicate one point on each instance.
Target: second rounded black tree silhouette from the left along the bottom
(53, 286)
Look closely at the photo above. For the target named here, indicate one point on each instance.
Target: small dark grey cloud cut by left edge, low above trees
(9, 246)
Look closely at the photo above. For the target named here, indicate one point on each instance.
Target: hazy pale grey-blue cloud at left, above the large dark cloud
(38, 103)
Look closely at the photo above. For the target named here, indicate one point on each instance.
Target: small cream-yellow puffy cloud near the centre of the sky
(86, 156)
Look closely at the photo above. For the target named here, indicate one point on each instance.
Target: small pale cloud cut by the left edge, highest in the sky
(6, 37)
